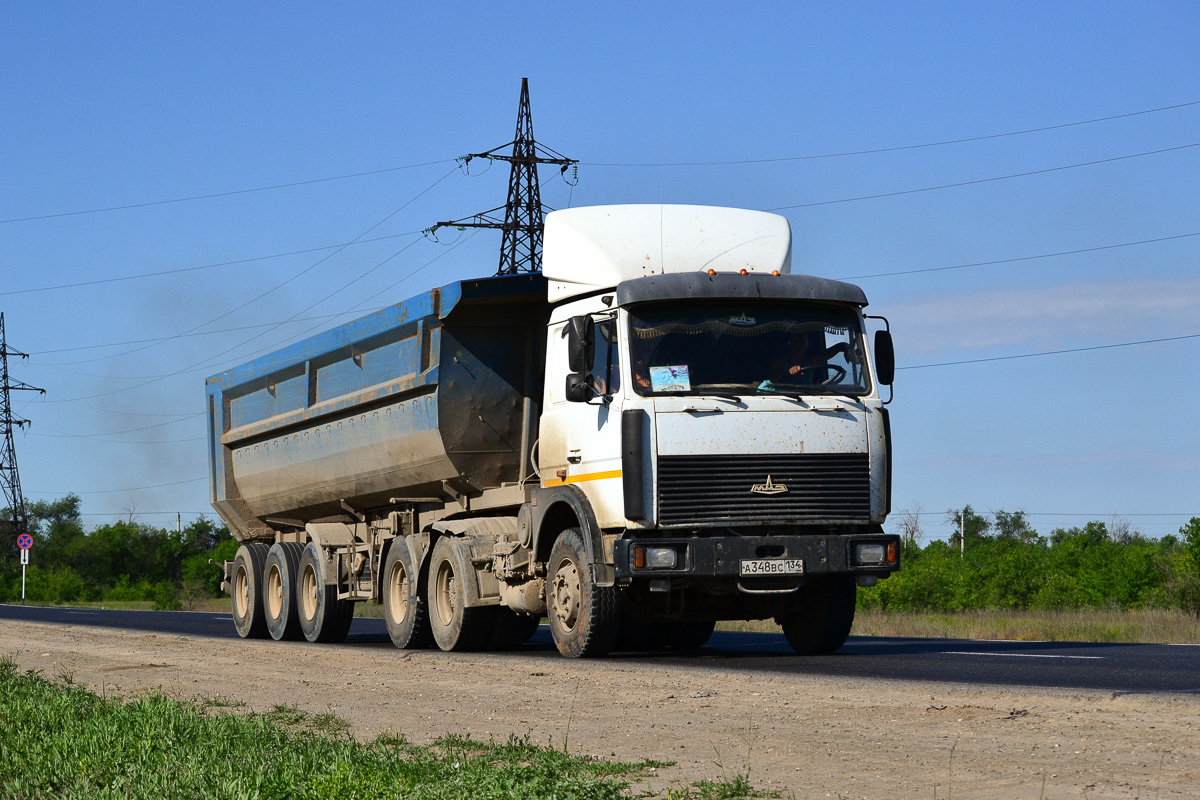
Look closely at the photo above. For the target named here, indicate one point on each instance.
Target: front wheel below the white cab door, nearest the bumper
(584, 617)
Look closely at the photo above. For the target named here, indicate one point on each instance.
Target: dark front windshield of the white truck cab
(737, 347)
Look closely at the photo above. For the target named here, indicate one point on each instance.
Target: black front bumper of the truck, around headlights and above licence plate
(723, 556)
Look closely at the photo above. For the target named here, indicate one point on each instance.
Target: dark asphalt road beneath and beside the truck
(1121, 669)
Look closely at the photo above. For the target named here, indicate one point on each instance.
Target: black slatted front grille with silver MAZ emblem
(703, 490)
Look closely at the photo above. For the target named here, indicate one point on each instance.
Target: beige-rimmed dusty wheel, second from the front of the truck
(455, 627)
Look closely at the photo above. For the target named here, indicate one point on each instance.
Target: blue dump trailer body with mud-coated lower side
(440, 393)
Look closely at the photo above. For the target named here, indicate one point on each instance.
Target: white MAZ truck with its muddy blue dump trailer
(662, 430)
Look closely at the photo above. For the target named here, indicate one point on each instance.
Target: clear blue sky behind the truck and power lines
(113, 105)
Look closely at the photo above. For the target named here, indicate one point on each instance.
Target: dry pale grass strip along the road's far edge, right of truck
(1145, 625)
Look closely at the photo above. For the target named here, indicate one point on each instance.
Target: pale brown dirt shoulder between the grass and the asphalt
(799, 736)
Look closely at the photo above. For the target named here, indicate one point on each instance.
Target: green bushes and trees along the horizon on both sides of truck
(1005, 564)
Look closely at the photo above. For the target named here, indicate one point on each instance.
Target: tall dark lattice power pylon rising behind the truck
(523, 225)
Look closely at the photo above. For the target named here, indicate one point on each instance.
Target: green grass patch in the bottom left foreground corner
(61, 741)
